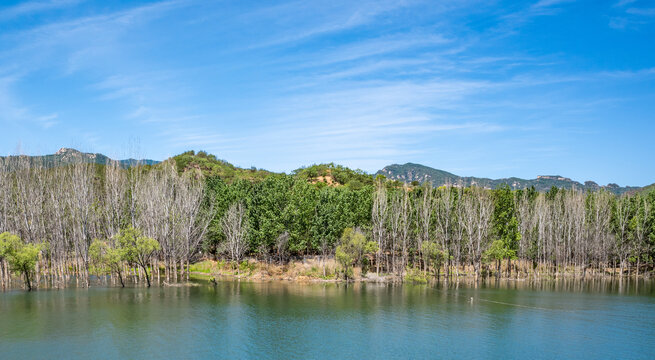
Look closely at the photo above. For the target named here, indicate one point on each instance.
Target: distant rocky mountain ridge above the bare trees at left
(71, 156)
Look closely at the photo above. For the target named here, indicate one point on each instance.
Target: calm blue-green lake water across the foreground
(234, 320)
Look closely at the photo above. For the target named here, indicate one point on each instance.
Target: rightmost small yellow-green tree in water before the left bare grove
(137, 249)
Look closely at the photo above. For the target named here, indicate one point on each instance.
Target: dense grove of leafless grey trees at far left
(64, 209)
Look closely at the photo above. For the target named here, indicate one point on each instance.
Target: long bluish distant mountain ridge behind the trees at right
(415, 172)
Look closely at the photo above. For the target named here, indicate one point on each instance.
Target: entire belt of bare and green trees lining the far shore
(154, 220)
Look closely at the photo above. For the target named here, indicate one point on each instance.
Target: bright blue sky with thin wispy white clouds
(478, 88)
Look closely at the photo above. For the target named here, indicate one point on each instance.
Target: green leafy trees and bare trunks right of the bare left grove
(444, 229)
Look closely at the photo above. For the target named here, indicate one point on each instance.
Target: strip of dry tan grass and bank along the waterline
(317, 271)
